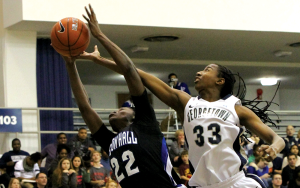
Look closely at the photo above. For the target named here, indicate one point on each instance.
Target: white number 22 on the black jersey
(127, 155)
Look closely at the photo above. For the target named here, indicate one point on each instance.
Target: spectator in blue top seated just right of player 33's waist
(260, 168)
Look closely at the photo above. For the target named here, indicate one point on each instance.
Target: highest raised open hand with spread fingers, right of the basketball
(92, 21)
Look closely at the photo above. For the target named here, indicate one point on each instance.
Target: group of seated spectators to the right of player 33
(284, 170)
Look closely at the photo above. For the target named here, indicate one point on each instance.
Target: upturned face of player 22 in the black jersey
(123, 114)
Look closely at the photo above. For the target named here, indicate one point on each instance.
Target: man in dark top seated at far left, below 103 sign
(9, 159)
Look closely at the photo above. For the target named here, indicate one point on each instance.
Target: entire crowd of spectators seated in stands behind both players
(77, 163)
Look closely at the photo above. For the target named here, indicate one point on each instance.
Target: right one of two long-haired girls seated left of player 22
(83, 175)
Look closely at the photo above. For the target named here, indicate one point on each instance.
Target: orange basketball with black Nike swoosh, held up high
(70, 36)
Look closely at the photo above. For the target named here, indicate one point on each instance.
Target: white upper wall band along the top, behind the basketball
(257, 15)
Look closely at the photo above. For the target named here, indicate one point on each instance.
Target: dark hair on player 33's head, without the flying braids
(225, 73)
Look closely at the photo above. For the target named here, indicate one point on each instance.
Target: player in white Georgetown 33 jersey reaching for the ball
(212, 123)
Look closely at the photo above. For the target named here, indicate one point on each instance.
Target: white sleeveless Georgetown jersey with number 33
(212, 131)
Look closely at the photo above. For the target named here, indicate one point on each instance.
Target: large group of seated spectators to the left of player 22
(67, 164)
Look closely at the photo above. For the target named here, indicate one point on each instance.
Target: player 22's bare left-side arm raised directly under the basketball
(90, 117)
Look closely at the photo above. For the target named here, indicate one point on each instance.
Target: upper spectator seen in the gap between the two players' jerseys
(177, 147)
